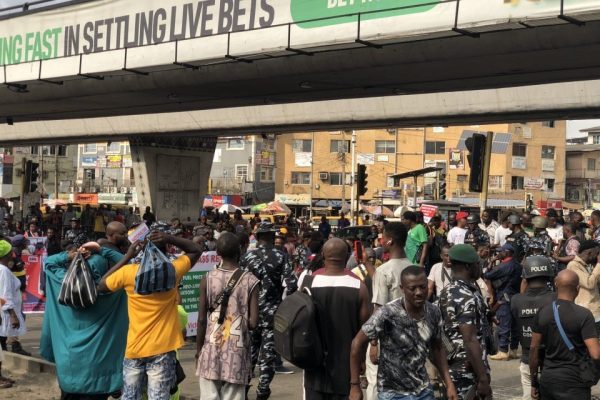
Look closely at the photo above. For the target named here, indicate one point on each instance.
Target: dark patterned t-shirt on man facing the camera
(404, 346)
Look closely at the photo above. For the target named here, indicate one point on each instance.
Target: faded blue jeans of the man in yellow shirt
(154, 375)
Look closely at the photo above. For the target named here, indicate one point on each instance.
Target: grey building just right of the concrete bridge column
(244, 166)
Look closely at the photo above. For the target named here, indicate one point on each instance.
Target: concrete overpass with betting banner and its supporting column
(157, 71)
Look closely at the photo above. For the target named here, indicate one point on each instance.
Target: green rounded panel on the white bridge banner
(333, 12)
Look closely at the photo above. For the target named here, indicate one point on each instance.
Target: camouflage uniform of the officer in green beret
(461, 303)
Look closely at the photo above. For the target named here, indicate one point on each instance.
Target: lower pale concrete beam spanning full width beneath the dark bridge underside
(571, 100)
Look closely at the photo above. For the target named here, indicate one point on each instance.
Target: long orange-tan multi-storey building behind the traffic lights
(526, 159)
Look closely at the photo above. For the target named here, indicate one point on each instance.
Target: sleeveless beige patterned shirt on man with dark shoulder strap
(225, 354)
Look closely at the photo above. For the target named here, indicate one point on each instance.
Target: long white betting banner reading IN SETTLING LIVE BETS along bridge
(92, 37)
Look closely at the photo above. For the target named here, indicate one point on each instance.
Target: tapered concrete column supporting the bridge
(171, 174)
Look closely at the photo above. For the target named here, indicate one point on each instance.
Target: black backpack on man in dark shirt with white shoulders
(296, 328)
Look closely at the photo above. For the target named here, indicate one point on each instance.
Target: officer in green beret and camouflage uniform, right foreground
(466, 325)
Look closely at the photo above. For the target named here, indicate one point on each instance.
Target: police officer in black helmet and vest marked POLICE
(524, 307)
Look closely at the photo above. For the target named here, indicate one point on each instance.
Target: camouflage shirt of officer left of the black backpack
(272, 268)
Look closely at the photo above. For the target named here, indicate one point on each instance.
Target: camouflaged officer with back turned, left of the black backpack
(272, 268)
